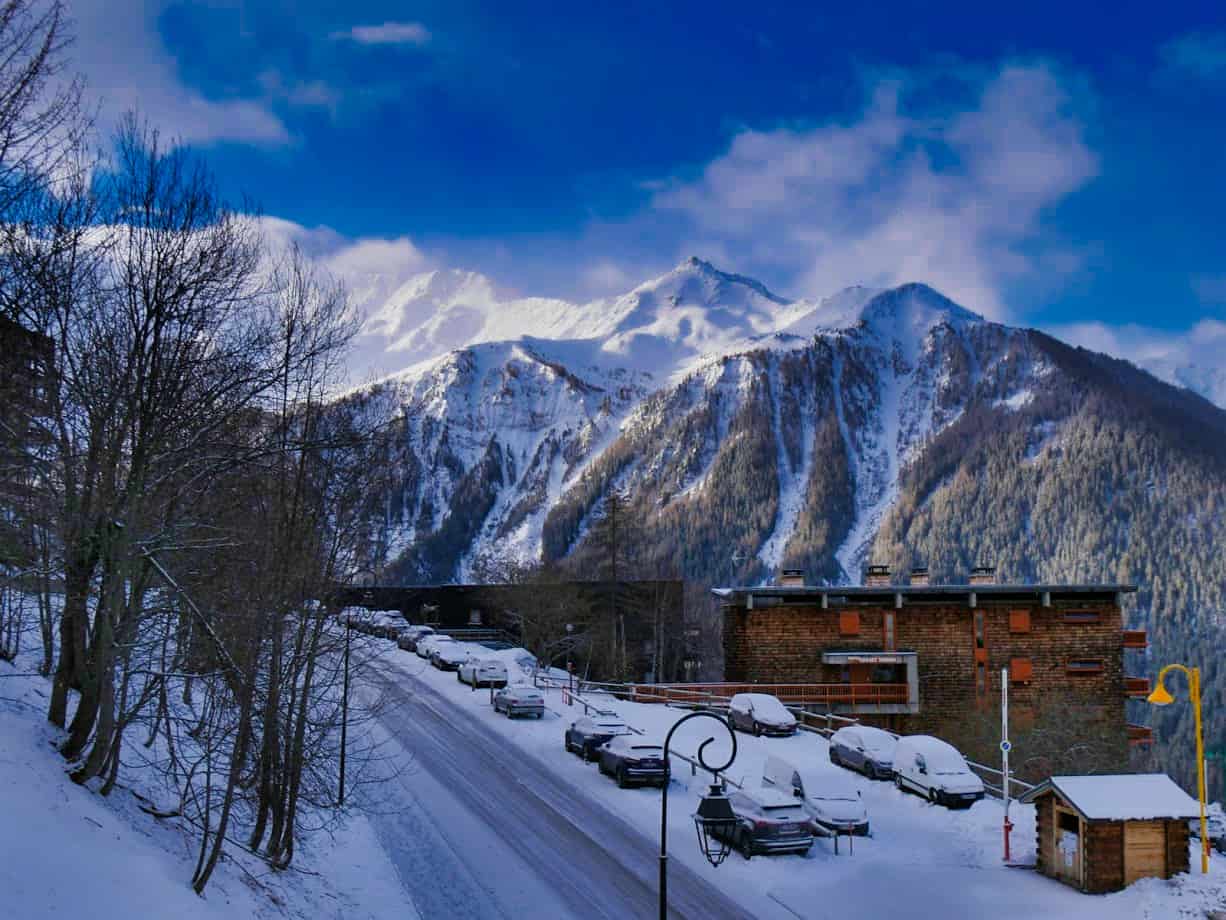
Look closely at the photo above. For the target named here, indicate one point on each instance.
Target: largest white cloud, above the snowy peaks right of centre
(902, 194)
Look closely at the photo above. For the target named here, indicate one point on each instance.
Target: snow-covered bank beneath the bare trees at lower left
(67, 851)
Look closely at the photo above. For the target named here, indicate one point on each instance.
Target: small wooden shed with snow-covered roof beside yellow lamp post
(1103, 834)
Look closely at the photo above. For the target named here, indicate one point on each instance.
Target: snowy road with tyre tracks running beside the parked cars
(506, 838)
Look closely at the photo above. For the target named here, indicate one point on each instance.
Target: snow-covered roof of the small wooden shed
(1133, 797)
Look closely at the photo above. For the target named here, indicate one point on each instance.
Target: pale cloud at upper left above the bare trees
(127, 67)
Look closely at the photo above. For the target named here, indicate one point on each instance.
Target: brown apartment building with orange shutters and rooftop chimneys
(927, 659)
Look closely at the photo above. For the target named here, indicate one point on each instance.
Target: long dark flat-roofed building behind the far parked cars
(633, 631)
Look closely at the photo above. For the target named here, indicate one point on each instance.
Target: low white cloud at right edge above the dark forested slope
(1189, 359)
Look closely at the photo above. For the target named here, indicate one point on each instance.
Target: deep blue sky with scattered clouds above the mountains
(1060, 169)
